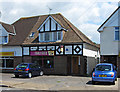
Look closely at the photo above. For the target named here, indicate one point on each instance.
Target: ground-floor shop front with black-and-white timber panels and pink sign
(57, 59)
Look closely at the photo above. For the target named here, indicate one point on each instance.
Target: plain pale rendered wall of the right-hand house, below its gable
(108, 45)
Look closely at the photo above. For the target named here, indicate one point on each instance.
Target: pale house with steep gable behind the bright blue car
(110, 39)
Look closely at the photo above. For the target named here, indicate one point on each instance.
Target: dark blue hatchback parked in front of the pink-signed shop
(28, 69)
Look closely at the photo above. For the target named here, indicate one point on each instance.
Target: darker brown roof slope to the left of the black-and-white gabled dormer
(23, 28)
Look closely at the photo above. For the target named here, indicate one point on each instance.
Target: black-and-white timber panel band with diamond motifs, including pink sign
(69, 49)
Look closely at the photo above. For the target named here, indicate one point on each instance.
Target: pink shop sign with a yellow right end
(42, 53)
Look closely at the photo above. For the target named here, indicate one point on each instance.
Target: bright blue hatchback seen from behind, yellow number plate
(104, 72)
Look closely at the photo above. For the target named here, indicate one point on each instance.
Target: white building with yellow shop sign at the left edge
(8, 53)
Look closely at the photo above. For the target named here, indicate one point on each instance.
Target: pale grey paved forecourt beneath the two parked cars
(52, 83)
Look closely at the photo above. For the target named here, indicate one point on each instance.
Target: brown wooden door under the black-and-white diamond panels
(75, 65)
